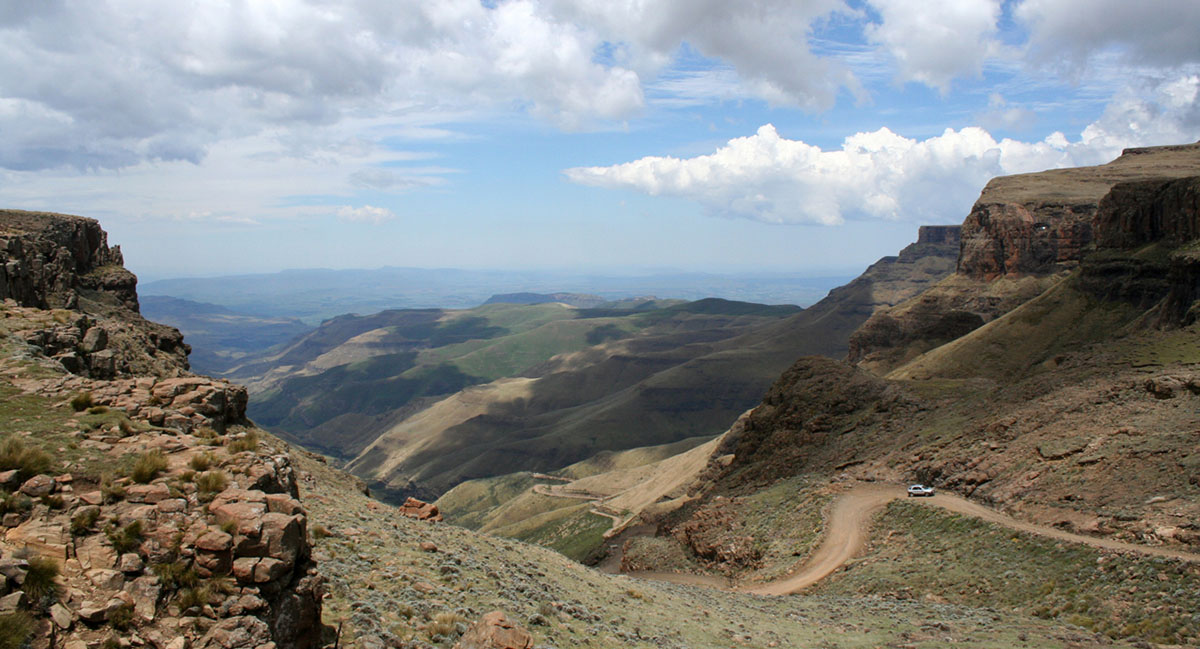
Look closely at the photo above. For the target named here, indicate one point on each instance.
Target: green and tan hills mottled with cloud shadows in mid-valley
(419, 400)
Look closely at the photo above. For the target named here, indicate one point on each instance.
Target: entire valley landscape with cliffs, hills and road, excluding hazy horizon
(735, 472)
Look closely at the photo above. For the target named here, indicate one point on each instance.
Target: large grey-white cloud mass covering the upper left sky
(143, 81)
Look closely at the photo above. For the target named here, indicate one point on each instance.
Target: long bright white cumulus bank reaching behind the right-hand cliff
(887, 177)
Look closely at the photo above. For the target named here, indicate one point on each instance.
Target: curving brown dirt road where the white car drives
(850, 521)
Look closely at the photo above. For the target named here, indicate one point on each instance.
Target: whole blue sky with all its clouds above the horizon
(787, 136)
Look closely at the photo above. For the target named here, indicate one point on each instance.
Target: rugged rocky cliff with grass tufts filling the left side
(139, 506)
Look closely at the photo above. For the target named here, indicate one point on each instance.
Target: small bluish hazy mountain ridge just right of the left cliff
(220, 338)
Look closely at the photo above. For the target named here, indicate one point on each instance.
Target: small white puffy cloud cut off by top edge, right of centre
(937, 41)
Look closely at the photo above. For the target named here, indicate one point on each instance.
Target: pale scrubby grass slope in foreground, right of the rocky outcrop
(382, 585)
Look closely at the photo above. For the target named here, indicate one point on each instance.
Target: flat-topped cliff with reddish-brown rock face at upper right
(1028, 232)
